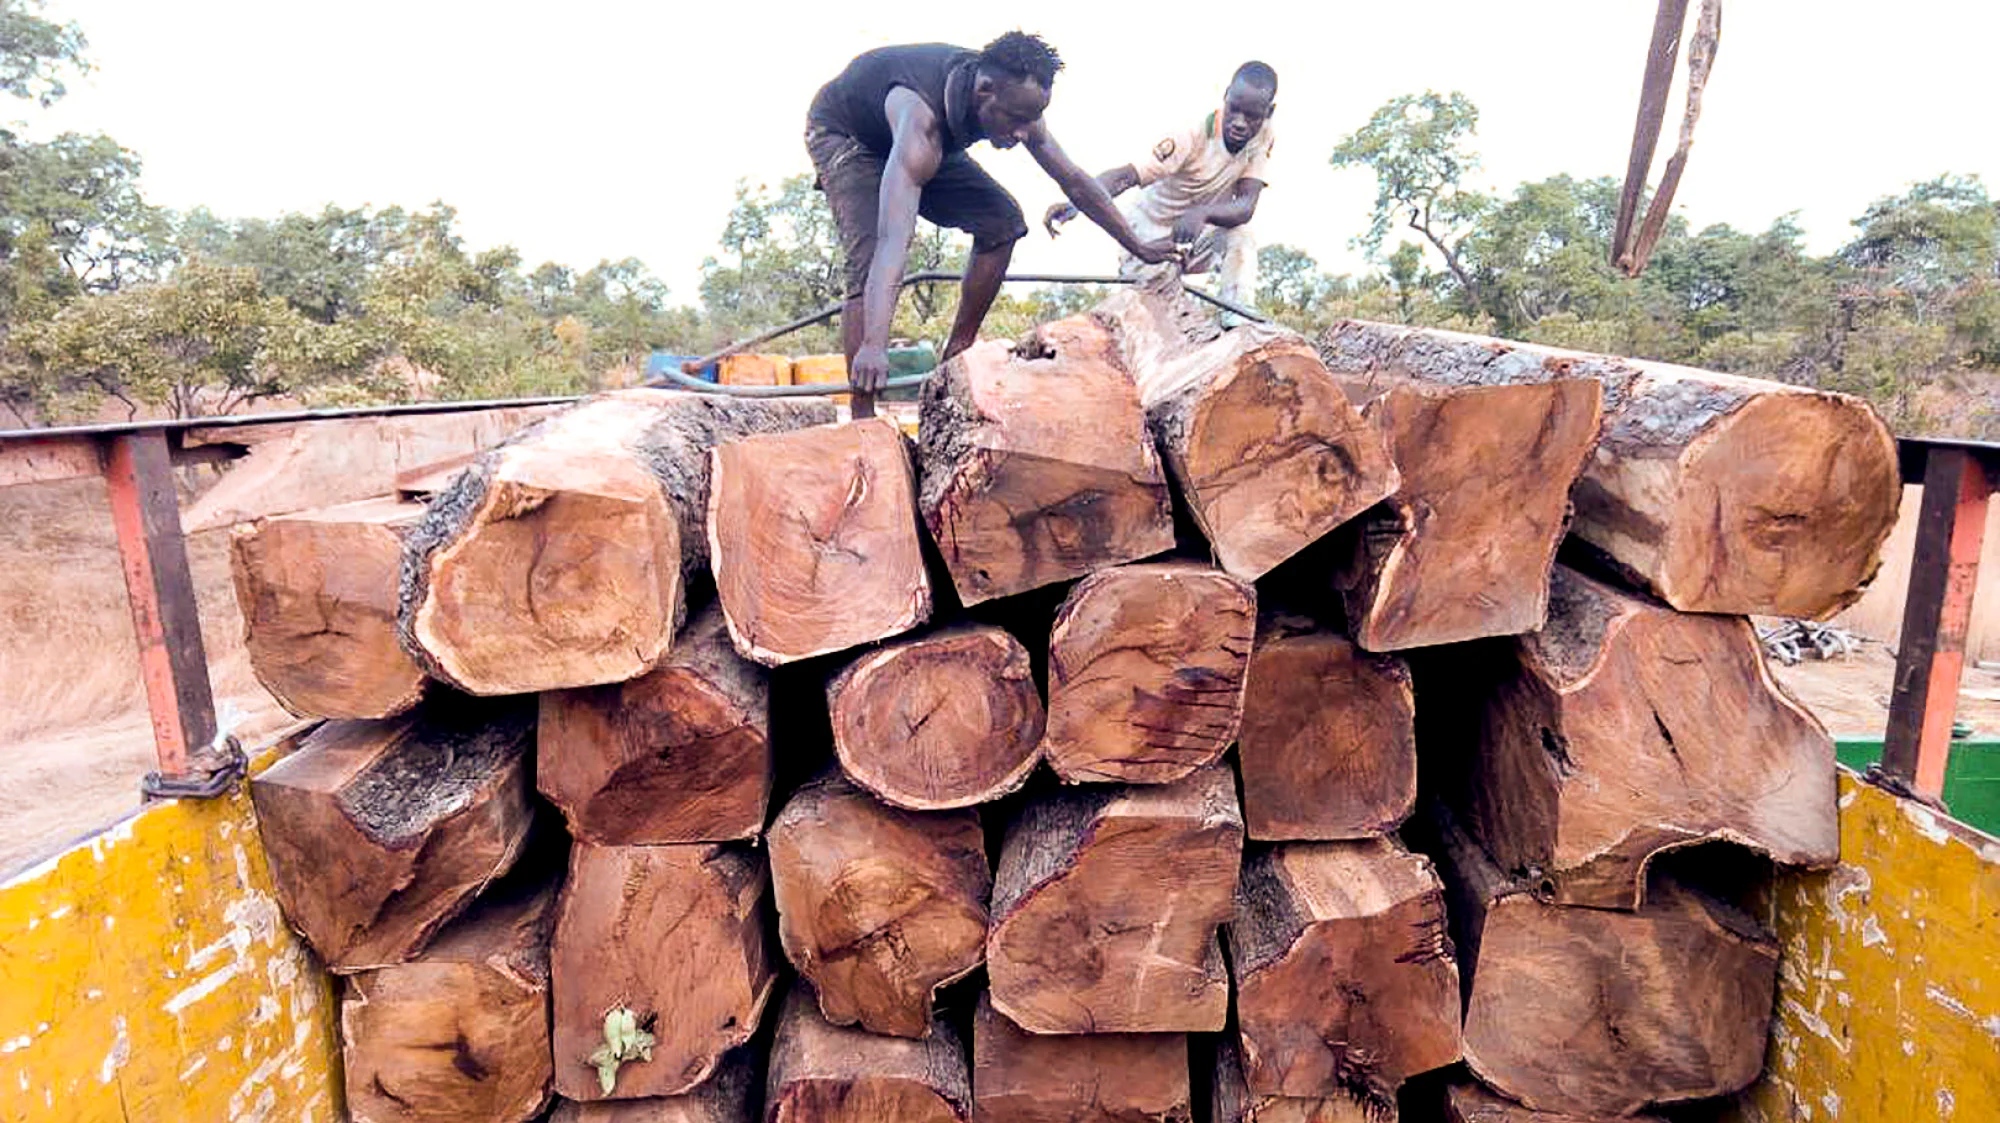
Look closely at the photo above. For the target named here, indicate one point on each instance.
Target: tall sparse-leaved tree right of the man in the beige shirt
(1419, 149)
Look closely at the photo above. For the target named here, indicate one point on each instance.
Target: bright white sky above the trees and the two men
(601, 129)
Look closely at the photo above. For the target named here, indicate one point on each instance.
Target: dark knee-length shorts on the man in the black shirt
(961, 197)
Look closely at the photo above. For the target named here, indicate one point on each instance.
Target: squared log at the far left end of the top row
(319, 600)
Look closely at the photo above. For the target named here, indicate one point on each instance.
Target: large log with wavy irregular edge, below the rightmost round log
(1625, 730)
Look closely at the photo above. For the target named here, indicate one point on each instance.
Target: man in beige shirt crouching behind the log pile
(1201, 187)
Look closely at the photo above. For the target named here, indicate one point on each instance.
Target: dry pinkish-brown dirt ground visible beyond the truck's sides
(75, 738)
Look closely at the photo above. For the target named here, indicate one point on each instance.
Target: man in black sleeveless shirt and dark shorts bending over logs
(889, 139)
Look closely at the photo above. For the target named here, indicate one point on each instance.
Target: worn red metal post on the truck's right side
(1937, 616)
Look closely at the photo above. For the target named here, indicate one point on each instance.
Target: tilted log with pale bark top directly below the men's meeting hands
(1265, 447)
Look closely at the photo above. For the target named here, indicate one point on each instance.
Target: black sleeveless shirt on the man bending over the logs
(855, 101)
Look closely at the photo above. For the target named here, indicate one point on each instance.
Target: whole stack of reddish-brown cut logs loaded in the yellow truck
(683, 754)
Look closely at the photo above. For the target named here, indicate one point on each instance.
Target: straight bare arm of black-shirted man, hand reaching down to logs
(913, 161)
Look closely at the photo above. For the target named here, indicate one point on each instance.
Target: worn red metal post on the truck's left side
(161, 592)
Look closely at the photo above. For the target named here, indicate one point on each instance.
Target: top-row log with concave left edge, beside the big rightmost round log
(1489, 453)
